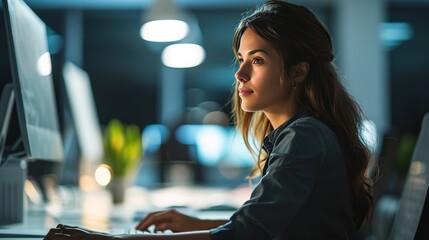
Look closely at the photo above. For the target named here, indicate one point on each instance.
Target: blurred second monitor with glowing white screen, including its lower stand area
(85, 123)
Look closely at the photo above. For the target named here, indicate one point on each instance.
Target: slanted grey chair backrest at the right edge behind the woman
(413, 196)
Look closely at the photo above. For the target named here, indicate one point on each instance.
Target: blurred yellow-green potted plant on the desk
(123, 153)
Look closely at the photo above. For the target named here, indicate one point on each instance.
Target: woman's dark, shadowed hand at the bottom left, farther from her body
(71, 232)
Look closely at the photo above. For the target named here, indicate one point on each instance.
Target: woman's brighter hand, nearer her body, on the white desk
(176, 221)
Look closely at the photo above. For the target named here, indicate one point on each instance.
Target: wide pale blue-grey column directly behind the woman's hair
(361, 58)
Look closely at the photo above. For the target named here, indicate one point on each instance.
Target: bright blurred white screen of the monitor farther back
(84, 112)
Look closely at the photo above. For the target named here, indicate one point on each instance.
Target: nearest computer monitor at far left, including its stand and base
(35, 105)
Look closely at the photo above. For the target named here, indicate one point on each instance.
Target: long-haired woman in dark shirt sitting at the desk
(311, 158)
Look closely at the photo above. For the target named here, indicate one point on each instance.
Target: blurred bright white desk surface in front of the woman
(94, 210)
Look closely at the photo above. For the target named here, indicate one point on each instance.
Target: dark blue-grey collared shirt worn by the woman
(304, 191)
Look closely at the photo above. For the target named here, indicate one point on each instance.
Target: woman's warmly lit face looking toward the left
(261, 84)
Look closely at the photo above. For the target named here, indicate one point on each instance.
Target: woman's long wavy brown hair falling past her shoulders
(297, 34)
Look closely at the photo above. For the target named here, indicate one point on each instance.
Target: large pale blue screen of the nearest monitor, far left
(32, 79)
